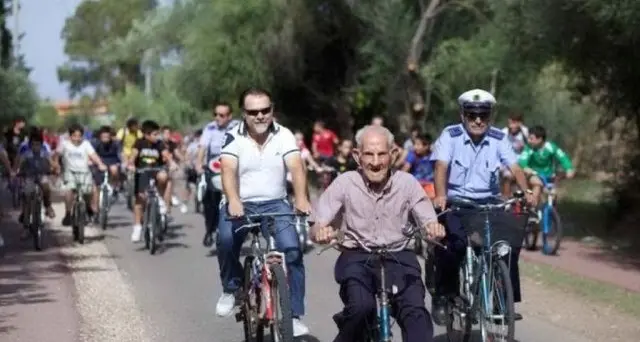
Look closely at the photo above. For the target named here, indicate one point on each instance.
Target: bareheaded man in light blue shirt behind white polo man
(209, 147)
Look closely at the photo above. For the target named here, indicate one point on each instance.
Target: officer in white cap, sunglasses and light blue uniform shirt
(468, 157)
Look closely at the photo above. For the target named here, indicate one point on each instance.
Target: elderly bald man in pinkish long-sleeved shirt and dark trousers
(376, 205)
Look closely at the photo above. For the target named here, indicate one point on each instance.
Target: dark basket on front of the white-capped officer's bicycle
(505, 226)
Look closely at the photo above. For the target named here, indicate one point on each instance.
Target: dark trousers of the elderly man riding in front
(358, 274)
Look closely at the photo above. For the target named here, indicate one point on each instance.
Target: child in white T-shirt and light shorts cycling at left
(75, 153)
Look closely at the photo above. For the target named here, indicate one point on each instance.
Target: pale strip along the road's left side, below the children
(104, 299)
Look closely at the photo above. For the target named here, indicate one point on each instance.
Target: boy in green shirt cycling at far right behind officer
(538, 160)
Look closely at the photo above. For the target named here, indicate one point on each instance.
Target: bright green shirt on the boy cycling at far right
(542, 160)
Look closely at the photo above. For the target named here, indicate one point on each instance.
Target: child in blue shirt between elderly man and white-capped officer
(418, 163)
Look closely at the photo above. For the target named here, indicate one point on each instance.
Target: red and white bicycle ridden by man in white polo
(265, 299)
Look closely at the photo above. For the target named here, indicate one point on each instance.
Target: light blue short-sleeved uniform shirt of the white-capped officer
(474, 169)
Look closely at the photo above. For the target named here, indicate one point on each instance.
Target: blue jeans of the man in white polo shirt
(230, 242)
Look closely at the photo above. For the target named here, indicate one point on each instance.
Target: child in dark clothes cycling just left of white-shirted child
(35, 165)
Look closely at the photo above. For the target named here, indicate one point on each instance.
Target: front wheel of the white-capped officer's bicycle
(497, 317)
